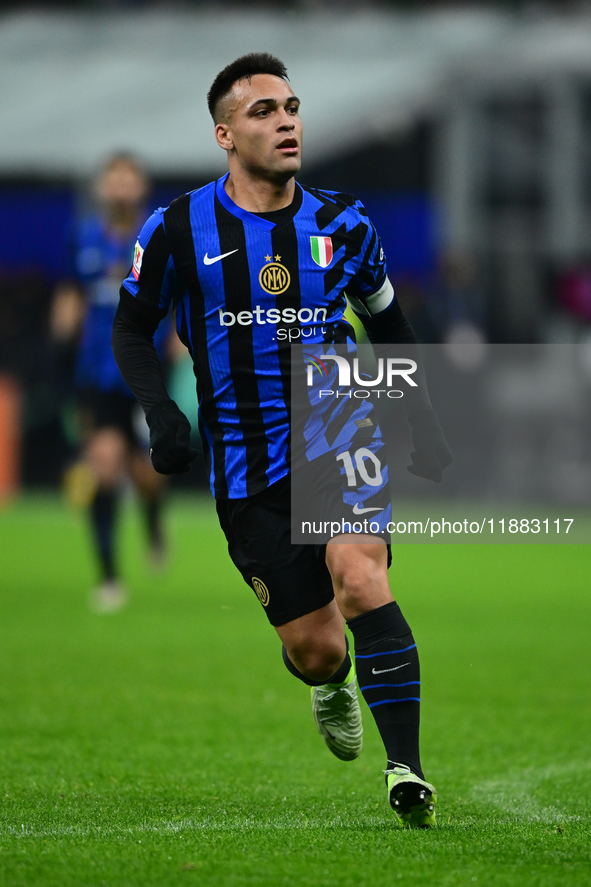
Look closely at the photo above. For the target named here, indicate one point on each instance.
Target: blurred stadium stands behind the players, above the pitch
(464, 129)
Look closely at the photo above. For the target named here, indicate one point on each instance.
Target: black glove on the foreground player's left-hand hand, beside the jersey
(170, 438)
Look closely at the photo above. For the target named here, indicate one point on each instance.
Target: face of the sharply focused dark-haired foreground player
(262, 128)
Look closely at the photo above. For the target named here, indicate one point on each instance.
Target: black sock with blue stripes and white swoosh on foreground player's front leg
(387, 665)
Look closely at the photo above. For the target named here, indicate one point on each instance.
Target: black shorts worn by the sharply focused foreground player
(289, 580)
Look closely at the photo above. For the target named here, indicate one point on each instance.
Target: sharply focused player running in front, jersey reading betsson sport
(250, 262)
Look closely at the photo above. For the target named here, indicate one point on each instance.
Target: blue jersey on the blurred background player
(99, 258)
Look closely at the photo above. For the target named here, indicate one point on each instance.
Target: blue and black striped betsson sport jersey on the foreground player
(245, 285)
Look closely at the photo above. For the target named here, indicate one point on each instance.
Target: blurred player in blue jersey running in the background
(110, 431)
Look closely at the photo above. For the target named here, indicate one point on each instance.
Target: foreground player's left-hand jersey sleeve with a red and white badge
(152, 277)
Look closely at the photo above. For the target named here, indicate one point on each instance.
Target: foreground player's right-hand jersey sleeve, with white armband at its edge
(369, 291)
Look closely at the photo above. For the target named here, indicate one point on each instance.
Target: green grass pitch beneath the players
(166, 744)
